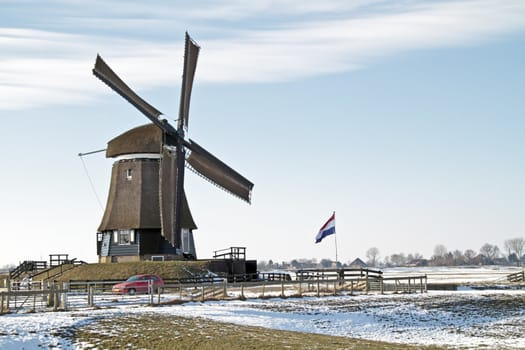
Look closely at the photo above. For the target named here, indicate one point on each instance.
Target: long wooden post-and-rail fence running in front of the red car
(77, 295)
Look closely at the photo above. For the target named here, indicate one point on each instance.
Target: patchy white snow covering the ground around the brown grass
(468, 318)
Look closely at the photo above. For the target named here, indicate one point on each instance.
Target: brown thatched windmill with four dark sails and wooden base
(147, 214)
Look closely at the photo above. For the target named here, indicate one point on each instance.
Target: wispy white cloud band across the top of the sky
(41, 67)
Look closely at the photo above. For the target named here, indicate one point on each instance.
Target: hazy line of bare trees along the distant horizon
(513, 253)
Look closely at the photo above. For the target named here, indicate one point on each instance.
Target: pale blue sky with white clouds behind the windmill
(405, 118)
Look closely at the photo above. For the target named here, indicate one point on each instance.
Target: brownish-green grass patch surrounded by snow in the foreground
(161, 332)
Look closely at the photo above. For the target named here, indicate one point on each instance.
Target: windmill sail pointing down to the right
(213, 169)
